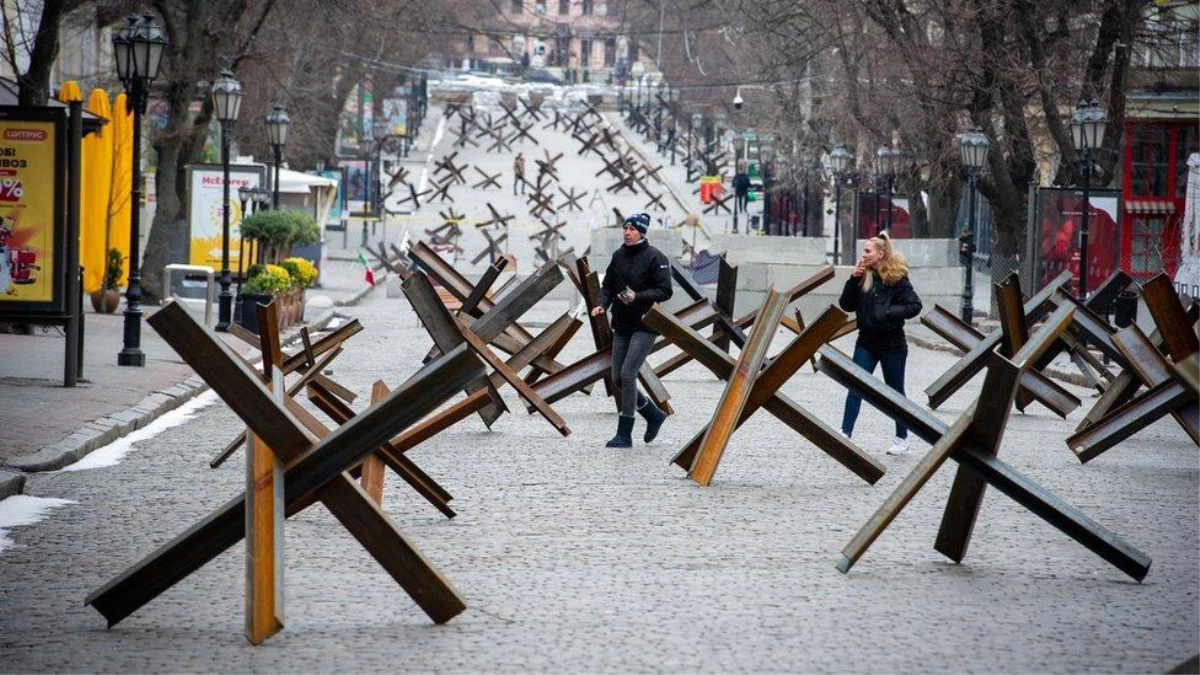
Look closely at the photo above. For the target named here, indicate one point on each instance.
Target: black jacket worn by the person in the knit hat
(644, 270)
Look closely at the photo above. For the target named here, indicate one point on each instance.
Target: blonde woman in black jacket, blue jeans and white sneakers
(883, 298)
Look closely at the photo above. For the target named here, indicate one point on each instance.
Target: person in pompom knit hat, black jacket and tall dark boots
(638, 277)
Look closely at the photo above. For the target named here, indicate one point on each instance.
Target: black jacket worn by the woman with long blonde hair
(881, 313)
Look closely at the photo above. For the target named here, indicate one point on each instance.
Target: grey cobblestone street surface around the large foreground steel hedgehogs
(574, 558)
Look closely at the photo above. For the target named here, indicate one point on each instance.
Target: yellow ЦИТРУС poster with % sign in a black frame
(28, 182)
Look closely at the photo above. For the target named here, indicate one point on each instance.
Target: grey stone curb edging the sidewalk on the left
(103, 432)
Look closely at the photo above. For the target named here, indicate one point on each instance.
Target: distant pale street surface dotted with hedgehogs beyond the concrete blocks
(578, 175)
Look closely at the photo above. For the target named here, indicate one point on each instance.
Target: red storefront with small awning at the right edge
(1154, 186)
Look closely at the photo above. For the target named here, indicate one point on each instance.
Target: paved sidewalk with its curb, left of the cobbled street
(45, 426)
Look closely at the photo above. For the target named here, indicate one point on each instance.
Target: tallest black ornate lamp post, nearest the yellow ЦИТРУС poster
(139, 50)
